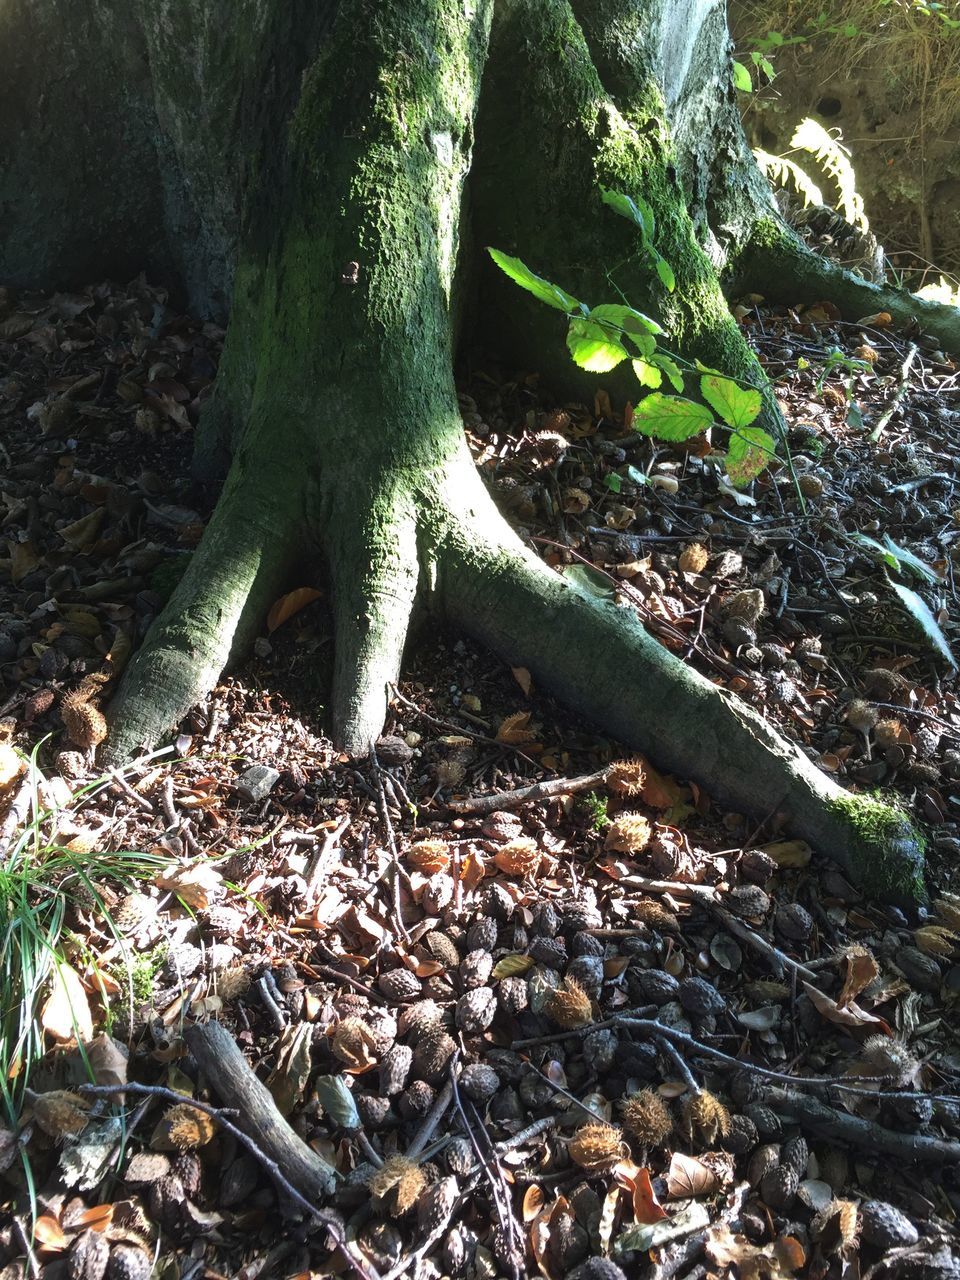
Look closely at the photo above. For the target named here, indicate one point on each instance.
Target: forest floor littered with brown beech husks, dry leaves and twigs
(569, 1034)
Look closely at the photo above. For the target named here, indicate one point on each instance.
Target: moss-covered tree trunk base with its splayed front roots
(333, 223)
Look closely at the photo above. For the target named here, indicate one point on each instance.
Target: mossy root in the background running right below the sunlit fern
(778, 266)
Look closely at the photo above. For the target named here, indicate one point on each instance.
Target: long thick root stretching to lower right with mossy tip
(601, 661)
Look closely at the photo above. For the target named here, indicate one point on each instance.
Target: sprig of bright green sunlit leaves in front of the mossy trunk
(601, 339)
